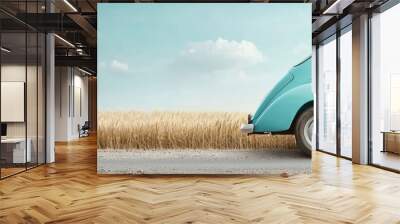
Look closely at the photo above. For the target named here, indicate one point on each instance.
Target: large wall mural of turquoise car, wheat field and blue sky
(204, 88)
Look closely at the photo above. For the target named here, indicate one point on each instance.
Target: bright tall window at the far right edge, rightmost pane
(385, 89)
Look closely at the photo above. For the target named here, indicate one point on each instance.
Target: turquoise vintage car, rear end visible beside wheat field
(288, 108)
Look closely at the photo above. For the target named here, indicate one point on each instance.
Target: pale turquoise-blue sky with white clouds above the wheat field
(197, 57)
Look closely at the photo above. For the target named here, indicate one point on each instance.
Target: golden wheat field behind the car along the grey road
(181, 130)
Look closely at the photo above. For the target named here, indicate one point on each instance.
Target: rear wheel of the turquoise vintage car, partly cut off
(304, 130)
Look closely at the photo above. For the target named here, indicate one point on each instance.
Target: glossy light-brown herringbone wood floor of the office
(70, 191)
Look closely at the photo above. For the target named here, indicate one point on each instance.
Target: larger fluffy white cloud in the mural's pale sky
(220, 54)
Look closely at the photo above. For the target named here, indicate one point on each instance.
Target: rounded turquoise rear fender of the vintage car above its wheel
(279, 115)
